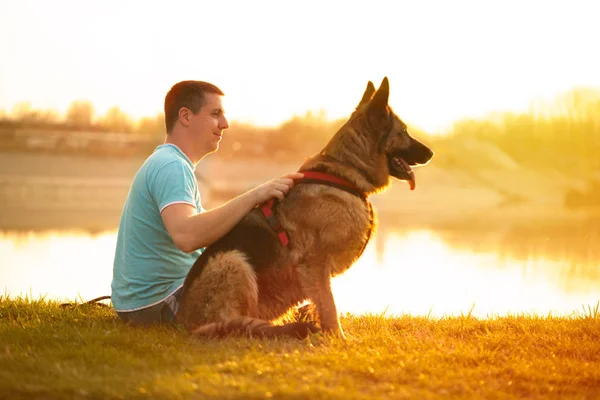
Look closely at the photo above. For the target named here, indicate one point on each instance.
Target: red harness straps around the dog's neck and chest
(309, 177)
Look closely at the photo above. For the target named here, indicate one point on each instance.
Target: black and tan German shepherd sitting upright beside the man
(250, 277)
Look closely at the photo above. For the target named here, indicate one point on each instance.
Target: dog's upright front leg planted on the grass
(316, 282)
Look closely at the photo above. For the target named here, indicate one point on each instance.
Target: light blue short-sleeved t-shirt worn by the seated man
(148, 266)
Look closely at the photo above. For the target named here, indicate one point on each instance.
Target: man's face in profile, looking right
(206, 127)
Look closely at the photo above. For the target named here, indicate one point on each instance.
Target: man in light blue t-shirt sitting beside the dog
(163, 227)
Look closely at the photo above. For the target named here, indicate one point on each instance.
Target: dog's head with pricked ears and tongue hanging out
(394, 145)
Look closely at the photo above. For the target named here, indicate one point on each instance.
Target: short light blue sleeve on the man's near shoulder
(173, 183)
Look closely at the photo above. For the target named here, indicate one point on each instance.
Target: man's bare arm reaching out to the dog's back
(191, 230)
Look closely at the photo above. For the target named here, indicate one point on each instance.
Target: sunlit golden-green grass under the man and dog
(49, 352)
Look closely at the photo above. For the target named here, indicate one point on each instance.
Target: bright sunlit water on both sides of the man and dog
(415, 272)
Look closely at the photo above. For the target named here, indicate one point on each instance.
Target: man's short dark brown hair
(189, 94)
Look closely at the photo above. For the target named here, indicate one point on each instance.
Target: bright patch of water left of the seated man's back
(62, 266)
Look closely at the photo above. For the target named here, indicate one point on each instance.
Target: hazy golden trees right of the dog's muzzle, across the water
(563, 135)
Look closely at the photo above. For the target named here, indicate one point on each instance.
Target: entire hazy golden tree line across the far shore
(563, 134)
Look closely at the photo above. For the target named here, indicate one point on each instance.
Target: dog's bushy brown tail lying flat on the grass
(248, 326)
